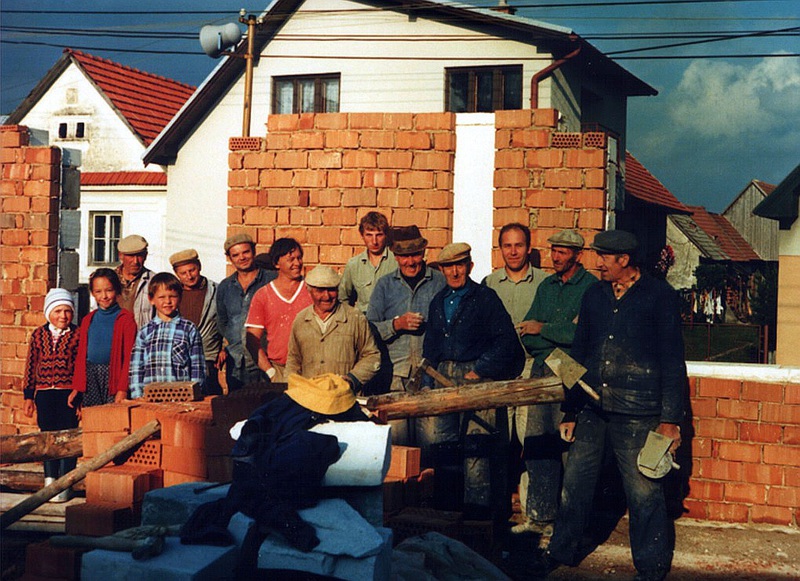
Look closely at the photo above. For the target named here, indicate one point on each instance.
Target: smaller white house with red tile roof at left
(110, 113)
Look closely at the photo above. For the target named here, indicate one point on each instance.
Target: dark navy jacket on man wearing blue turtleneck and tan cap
(480, 330)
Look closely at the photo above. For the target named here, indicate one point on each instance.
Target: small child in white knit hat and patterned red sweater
(48, 377)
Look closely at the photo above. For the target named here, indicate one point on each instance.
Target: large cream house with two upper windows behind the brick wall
(424, 56)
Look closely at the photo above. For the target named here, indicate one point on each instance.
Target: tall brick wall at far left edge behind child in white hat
(29, 191)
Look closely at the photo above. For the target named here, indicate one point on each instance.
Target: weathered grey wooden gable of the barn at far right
(761, 233)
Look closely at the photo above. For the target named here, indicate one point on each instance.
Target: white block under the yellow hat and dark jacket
(365, 453)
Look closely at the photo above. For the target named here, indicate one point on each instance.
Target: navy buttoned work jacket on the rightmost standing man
(632, 349)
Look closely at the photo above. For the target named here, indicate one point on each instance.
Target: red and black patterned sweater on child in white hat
(50, 366)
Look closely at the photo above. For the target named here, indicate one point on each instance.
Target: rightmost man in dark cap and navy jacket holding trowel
(629, 339)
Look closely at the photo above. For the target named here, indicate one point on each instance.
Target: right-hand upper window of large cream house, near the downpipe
(483, 89)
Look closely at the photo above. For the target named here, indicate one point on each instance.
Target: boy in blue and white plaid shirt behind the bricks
(169, 347)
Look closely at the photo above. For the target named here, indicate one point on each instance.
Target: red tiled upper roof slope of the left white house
(148, 102)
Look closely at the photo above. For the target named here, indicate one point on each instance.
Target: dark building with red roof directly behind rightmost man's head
(645, 208)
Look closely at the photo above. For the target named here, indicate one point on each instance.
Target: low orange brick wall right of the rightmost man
(745, 452)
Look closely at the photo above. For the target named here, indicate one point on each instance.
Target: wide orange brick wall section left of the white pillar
(315, 175)
